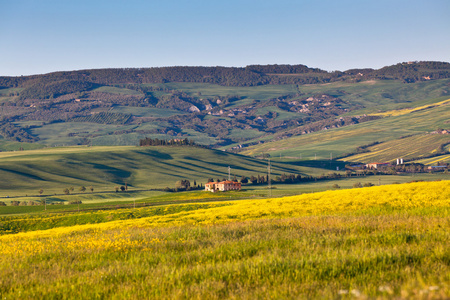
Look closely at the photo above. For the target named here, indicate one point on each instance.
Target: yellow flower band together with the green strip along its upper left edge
(419, 198)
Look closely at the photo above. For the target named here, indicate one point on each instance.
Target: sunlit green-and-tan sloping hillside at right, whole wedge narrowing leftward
(409, 135)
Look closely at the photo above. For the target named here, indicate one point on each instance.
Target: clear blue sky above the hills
(41, 36)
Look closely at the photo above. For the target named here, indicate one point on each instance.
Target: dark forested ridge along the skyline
(229, 76)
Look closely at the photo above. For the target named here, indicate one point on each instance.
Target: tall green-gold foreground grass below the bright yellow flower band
(310, 257)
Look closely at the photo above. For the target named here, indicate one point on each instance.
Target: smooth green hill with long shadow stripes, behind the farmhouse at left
(54, 169)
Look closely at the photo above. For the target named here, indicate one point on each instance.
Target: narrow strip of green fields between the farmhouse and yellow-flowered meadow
(94, 201)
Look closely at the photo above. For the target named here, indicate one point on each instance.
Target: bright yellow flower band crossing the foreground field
(404, 196)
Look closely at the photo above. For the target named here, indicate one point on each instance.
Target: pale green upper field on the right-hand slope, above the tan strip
(339, 141)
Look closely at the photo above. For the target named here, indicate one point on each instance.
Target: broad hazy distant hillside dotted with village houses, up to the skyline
(231, 108)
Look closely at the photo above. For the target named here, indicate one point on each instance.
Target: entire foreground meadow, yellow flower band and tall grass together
(380, 242)
